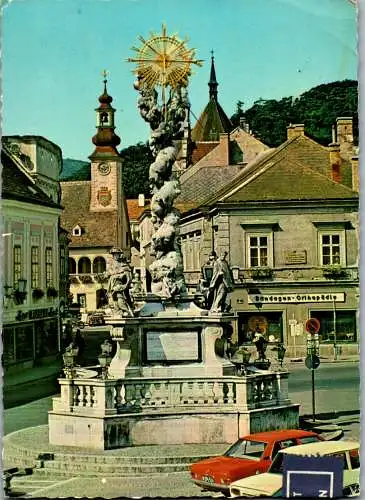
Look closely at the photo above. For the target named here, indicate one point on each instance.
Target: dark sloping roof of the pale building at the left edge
(16, 185)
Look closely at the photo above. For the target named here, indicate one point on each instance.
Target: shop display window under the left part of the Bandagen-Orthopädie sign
(270, 324)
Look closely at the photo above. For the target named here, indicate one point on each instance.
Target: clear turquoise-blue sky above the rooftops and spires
(54, 52)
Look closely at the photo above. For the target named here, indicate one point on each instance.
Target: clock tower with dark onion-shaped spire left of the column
(107, 194)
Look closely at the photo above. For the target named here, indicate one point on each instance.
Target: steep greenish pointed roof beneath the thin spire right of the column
(212, 122)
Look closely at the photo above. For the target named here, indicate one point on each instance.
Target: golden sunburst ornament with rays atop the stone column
(164, 60)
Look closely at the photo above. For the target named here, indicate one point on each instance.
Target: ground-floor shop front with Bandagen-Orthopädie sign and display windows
(281, 316)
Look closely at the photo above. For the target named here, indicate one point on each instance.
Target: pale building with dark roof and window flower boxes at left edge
(34, 252)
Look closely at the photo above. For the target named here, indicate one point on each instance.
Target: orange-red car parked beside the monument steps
(248, 456)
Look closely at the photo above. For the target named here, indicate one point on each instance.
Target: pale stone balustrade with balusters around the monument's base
(100, 397)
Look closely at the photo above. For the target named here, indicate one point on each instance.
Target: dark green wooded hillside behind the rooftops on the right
(317, 108)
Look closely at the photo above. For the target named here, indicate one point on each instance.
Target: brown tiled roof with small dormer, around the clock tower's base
(99, 229)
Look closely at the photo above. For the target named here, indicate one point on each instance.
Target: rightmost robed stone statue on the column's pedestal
(221, 284)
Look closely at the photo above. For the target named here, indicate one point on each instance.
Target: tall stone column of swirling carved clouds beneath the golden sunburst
(166, 124)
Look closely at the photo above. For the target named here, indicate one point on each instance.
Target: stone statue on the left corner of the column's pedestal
(120, 280)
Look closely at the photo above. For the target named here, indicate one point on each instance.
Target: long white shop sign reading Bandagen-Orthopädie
(292, 298)
